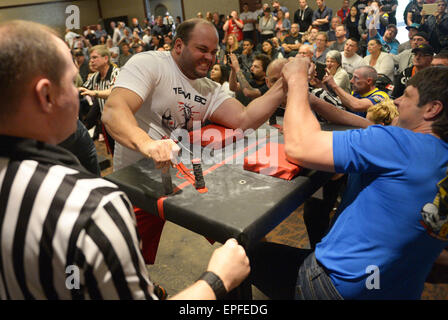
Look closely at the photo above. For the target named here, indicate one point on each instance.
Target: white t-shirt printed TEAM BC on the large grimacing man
(170, 99)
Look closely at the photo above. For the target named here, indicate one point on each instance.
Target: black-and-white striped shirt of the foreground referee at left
(58, 221)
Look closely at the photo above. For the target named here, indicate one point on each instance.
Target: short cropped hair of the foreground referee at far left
(22, 60)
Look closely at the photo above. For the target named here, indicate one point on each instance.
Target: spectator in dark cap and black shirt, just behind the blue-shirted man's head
(422, 58)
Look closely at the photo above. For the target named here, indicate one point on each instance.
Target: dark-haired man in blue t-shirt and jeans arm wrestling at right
(378, 246)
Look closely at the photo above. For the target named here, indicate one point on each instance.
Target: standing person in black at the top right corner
(437, 26)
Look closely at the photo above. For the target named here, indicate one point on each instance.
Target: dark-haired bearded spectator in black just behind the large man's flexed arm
(254, 87)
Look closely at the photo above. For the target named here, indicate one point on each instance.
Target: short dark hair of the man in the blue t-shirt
(431, 86)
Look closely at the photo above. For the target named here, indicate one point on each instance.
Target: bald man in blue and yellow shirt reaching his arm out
(365, 93)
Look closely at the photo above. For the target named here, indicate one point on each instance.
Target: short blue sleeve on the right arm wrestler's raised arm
(377, 149)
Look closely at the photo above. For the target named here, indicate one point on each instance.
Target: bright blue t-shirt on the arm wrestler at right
(393, 174)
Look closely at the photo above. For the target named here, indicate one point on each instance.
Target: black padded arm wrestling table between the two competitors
(239, 204)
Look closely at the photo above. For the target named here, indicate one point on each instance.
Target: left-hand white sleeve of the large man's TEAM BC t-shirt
(138, 75)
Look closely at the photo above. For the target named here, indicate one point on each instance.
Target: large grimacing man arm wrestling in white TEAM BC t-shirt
(158, 92)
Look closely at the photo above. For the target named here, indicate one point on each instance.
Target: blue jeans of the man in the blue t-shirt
(285, 273)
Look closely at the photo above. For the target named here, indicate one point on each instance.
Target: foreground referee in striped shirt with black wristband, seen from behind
(64, 233)
